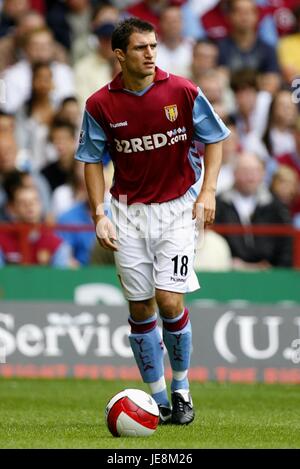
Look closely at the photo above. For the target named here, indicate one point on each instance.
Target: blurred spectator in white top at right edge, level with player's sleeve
(279, 137)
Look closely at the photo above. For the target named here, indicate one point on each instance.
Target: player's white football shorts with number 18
(156, 247)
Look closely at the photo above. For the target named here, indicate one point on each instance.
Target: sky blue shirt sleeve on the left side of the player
(92, 141)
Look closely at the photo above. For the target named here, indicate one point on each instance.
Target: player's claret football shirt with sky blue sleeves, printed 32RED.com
(151, 136)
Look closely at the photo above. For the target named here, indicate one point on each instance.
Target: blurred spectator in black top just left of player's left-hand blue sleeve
(63, 137)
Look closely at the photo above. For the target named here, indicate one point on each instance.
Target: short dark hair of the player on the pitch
(121, 35)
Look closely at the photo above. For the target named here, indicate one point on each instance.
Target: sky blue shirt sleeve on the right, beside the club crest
(208, 127)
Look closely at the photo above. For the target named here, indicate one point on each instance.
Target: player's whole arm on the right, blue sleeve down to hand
(210, 130)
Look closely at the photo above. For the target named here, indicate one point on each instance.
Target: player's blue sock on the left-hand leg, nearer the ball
(148, 350)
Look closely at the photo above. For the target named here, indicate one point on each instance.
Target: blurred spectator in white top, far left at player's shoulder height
(35, 117)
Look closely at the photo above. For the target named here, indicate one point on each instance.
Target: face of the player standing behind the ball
(140, 56)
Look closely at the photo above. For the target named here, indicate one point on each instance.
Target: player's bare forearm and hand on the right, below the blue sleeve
(205, 205)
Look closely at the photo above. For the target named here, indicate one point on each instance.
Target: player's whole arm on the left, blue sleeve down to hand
(90, 151)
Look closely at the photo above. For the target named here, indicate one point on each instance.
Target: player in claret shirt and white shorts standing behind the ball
(150, 122)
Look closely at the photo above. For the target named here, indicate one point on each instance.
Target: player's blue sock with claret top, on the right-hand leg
(177, 335)
